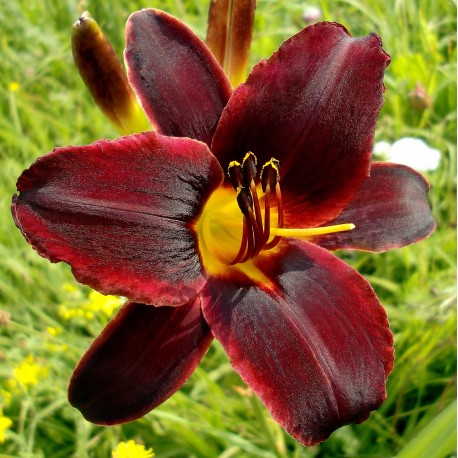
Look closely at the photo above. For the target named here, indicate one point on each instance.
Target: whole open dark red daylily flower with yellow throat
(239, 256)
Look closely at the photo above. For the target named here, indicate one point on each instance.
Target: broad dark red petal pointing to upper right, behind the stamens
(313, 105)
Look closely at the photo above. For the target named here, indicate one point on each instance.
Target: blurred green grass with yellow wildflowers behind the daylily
(43, 104)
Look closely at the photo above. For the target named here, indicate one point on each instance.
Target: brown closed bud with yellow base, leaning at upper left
(104, 75)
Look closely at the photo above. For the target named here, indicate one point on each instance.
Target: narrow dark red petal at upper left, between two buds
(181, 86)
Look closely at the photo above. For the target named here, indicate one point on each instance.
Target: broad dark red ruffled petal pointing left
(122, 214)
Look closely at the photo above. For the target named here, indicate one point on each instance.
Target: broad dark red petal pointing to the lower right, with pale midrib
(314, 343)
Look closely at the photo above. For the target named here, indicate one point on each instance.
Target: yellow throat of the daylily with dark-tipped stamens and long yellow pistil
(235, 231)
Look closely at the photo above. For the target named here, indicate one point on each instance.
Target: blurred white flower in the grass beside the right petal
(410, 151)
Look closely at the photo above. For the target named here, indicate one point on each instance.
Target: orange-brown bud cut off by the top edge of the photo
(230, 28)
